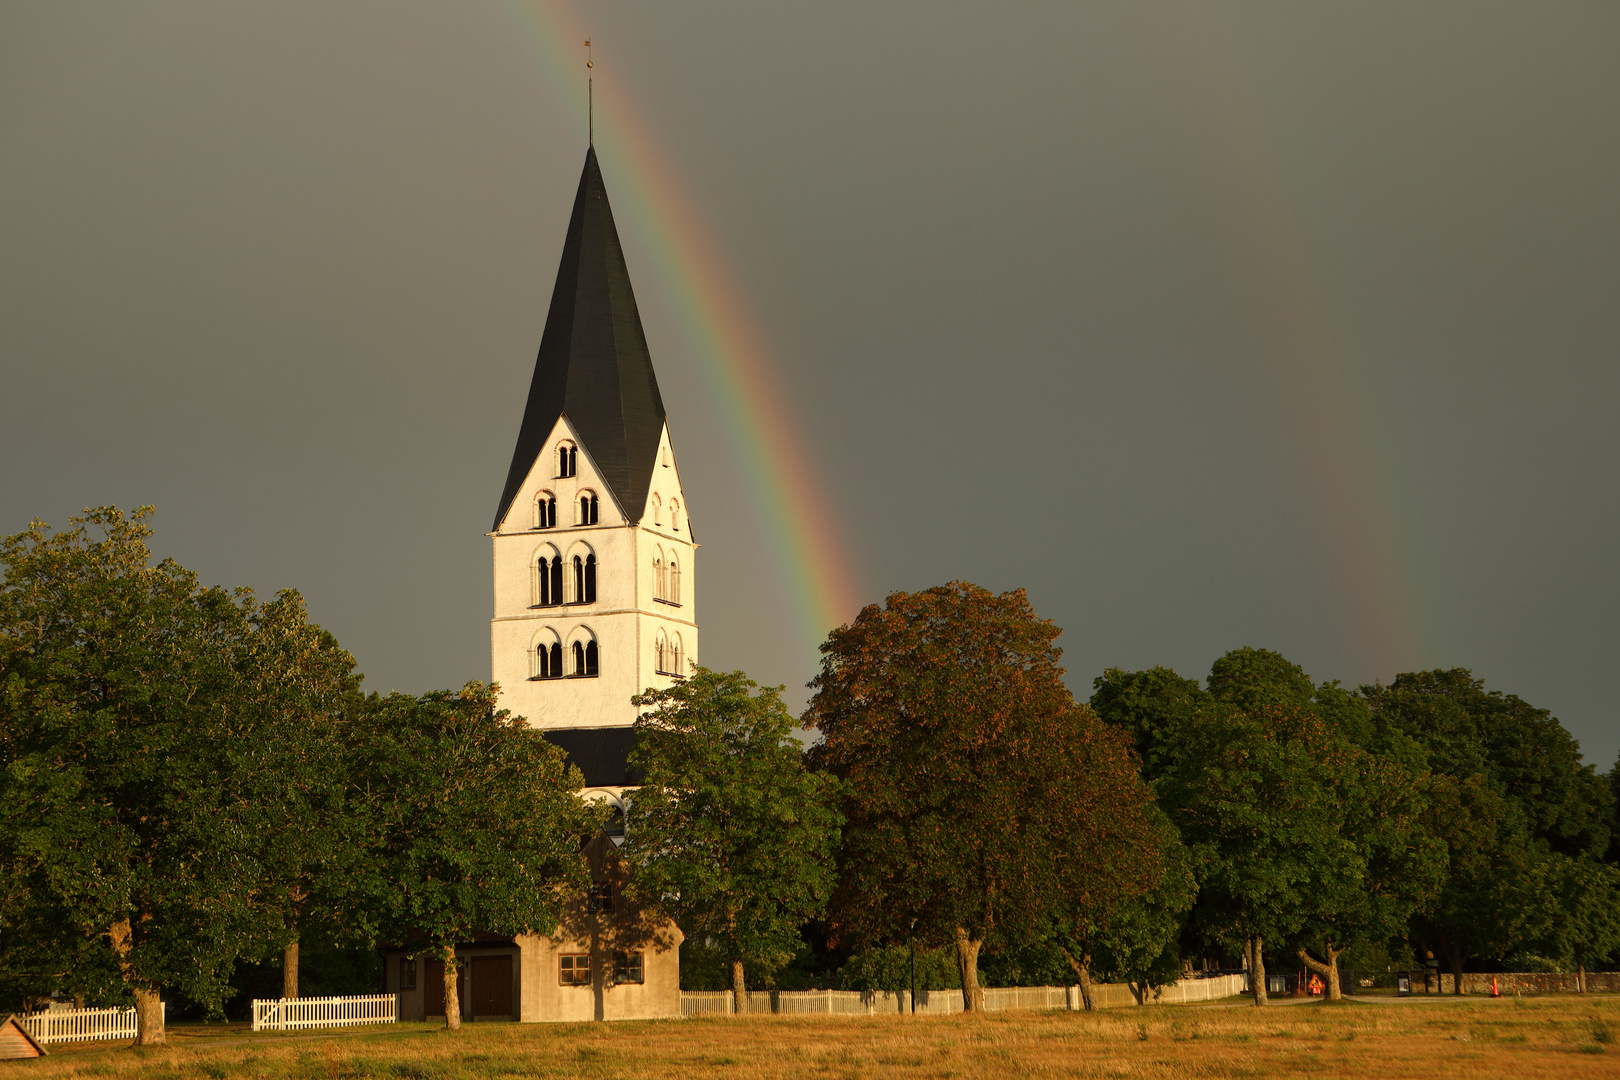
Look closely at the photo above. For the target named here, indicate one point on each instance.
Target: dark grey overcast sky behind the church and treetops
(1285, 325)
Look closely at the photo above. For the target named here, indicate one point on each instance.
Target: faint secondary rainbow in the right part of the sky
(1307, 360)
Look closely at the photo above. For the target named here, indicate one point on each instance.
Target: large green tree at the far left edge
(122, 742)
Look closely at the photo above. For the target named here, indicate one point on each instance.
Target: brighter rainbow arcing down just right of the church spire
(788, 496)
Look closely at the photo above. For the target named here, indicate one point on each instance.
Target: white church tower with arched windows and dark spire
(594, 551)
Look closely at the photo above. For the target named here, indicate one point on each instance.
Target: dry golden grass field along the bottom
(1379, 1039)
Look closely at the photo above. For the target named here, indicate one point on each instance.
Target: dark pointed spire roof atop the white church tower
(594, 362)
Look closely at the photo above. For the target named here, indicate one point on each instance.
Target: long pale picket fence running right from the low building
(944, 1003)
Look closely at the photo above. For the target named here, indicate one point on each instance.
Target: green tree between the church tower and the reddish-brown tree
(730, 835)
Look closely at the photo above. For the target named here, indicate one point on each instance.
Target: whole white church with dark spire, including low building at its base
(594, 603)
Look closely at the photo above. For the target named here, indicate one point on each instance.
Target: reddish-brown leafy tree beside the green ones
(978, 794)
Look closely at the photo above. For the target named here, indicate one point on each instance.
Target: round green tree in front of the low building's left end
(474, 823)
